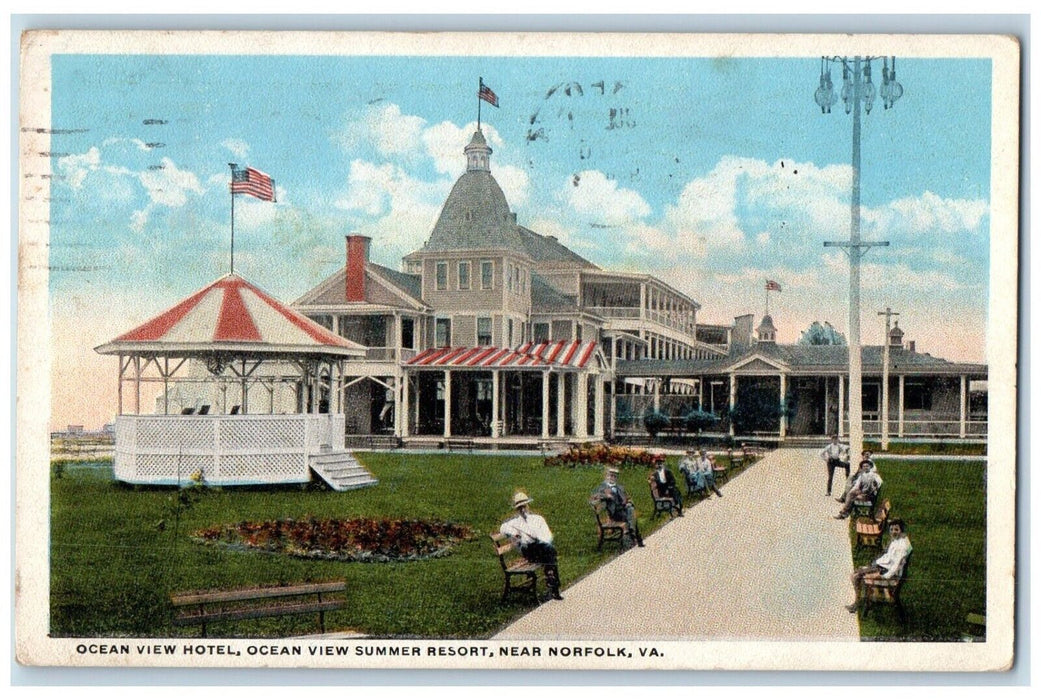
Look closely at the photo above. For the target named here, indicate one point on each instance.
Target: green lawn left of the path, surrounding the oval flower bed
(113, 569)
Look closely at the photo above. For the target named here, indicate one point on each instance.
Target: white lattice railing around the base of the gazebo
(224, 449)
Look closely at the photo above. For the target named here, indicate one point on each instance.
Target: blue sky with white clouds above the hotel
(713, 174)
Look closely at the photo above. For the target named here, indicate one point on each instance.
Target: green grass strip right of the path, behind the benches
(945, 507)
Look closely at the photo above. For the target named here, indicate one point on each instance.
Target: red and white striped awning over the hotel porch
(554, 355)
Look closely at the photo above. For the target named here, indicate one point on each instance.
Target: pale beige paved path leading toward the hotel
(768, 562)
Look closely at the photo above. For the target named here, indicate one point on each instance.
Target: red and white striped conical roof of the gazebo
(232, 315)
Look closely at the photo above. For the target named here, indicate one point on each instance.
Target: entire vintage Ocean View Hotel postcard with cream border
(517, 352)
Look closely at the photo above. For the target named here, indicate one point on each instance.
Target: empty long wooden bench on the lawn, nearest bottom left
(205, 607)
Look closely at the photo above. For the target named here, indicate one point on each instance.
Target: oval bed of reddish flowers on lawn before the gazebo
(354, 540)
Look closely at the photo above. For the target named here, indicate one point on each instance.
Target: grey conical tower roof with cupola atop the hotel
(476, 215)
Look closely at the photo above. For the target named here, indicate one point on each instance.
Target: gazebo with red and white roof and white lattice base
(238, 344)
